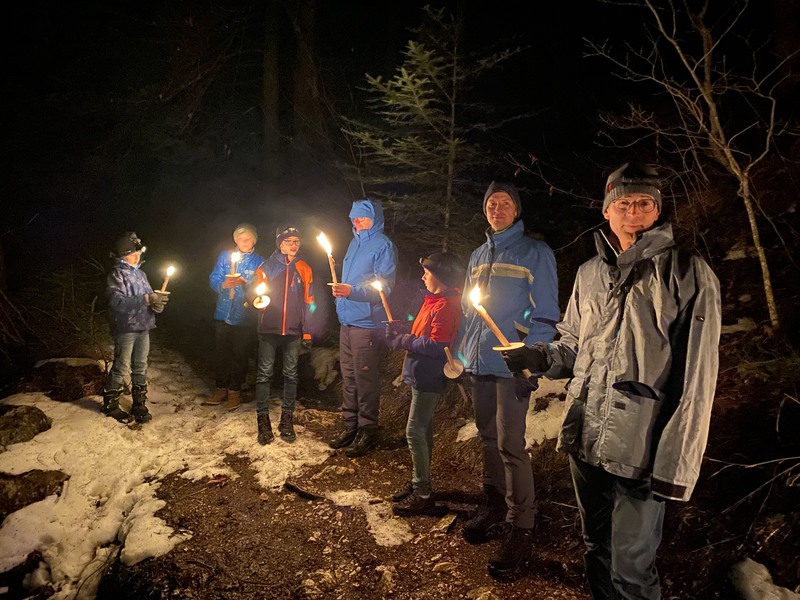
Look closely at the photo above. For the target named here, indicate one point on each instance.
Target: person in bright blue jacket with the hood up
(371, 257)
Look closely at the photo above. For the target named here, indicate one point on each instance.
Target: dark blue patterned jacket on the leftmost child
(126, 289)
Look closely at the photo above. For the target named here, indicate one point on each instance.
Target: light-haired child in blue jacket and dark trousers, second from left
(234, 321)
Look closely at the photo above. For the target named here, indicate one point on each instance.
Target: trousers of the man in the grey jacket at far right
(622, 526)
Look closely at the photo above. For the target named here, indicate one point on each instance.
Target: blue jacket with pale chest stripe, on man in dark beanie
(519, 290)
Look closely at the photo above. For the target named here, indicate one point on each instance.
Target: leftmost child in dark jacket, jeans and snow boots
(132, 308)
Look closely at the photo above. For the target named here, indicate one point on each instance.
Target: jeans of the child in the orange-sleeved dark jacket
(268, 344)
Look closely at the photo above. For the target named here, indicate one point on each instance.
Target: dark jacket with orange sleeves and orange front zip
(289, 287)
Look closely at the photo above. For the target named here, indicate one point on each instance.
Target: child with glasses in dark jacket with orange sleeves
(284, 323)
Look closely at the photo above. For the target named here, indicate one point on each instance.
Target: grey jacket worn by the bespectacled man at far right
(640, 341)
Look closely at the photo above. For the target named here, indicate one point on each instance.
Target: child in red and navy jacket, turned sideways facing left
(433, 330)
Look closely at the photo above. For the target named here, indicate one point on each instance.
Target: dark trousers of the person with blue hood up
(360, 353)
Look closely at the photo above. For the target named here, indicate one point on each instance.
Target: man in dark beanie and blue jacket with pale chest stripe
(518, 284)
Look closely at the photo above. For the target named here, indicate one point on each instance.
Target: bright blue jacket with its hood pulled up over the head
(371, 256)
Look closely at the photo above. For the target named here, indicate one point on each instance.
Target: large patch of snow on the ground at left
(114, 472)
